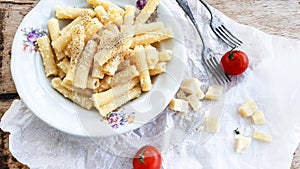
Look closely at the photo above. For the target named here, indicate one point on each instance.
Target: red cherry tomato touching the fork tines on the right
(234, 62)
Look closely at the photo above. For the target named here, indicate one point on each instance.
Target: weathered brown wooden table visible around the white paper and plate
(281, 17)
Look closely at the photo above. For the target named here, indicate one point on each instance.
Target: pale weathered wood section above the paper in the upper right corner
(279, 17)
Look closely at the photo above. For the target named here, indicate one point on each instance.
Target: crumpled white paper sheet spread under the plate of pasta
(271, 81)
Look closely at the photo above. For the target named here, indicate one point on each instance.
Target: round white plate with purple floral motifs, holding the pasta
(35, 89)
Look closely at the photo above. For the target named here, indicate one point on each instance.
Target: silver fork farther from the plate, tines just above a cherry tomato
(220, 30)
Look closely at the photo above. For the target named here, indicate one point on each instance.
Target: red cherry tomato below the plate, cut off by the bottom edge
(147, 157)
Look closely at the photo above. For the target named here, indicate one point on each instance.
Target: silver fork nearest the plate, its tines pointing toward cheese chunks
(208, 59)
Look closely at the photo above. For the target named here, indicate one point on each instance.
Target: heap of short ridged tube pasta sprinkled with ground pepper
(105, 56)
